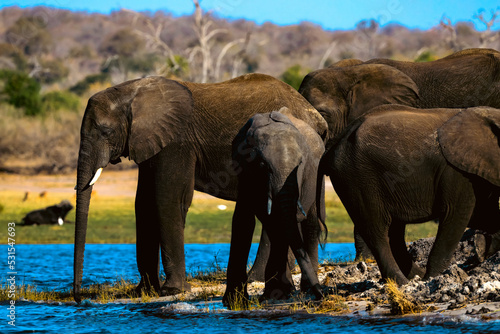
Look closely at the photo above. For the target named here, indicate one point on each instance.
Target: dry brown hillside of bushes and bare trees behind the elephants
(50, 57)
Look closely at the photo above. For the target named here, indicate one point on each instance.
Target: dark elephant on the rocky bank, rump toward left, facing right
(399, 165)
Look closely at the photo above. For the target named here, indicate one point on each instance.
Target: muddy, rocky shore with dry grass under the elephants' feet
(468, 290)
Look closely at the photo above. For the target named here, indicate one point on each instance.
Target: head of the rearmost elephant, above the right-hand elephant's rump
(342, 94)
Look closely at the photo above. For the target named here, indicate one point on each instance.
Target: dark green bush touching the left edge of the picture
(21, 91)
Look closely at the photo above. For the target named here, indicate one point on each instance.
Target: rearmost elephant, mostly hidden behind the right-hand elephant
(349, 88)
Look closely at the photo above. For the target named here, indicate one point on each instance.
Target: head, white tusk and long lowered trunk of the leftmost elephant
(135, 119)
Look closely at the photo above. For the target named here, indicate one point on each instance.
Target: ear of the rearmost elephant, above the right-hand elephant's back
(380, 84)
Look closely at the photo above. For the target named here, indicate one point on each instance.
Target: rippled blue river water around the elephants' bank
(51, 267)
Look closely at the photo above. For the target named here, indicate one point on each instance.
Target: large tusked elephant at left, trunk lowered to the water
(179, 134)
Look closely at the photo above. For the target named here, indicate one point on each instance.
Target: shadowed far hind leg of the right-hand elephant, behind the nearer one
(400, 251)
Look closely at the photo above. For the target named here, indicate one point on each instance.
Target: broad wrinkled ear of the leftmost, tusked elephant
(161, 110)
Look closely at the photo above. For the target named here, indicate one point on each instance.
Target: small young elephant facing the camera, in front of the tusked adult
(276, 158)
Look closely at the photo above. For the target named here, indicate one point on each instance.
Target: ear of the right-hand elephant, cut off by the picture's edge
(470, 142)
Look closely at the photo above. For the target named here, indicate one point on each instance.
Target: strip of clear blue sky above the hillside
(330, 14)
